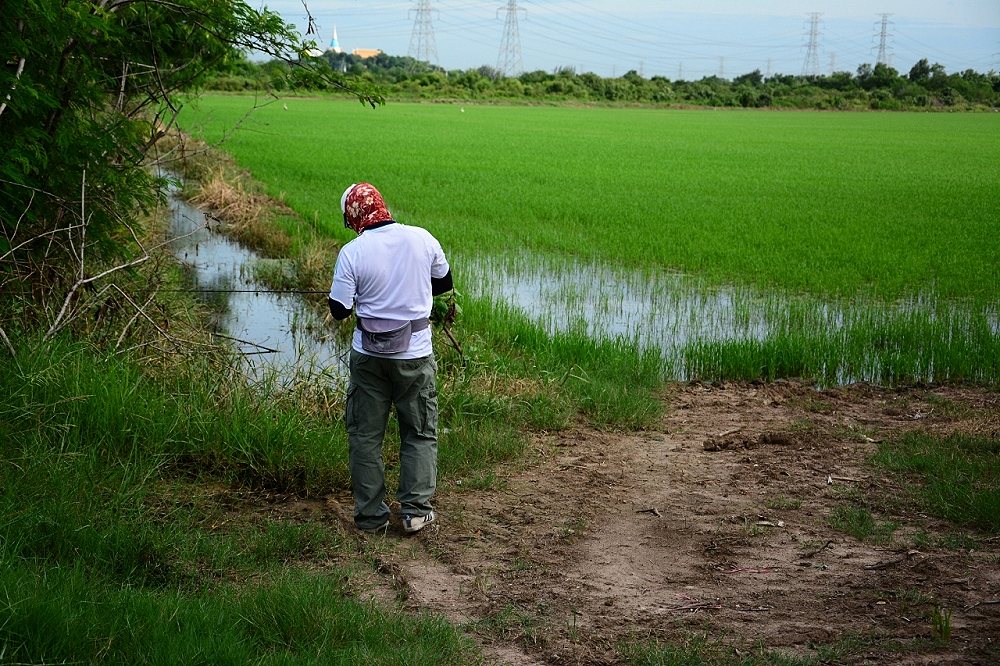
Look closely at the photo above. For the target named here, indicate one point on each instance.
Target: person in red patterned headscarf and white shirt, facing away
(389, 276)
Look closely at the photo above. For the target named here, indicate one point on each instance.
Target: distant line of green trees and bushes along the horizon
(880, 87)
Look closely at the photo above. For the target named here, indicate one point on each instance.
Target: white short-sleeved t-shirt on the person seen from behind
(385, 273)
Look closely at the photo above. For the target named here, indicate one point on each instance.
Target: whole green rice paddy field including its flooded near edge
(730, 244)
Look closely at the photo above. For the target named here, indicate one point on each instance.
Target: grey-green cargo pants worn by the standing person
(376, 384)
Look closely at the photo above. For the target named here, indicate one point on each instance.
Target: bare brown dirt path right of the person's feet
(715, 524)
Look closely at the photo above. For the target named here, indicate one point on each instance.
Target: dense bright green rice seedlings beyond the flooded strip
(827, 203)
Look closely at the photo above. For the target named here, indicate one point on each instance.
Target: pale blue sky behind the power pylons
(686, 39)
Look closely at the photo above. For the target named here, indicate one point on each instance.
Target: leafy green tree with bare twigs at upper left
(86, 89)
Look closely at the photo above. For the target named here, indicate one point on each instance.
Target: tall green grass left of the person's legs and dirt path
(113, 550)
